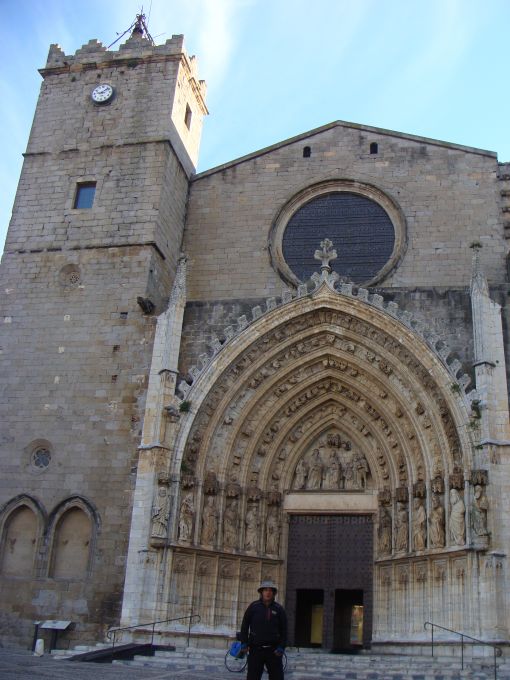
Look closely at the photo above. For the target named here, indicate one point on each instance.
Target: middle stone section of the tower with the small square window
(140, 198)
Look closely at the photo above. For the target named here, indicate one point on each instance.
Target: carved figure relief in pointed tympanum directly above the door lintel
(331, 464)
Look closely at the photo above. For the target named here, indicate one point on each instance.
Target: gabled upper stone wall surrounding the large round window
(448, 196)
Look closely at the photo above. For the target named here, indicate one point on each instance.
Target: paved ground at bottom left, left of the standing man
(21, 665)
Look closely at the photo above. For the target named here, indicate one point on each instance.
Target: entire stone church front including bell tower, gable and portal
(291, 366)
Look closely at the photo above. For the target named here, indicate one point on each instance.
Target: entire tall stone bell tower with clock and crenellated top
(90, 257)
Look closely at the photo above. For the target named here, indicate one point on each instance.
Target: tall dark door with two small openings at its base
(329, 581)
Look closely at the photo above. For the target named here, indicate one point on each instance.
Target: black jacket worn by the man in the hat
(264, 625)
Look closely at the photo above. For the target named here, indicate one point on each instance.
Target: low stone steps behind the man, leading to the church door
(318, 665)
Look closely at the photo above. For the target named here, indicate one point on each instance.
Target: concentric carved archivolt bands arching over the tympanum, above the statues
(371, 385)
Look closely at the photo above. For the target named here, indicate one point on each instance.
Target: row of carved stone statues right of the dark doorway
(412, 526)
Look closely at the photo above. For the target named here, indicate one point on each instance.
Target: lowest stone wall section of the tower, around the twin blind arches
(74, 364)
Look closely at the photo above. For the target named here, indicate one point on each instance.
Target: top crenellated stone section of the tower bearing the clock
(145, 79)
